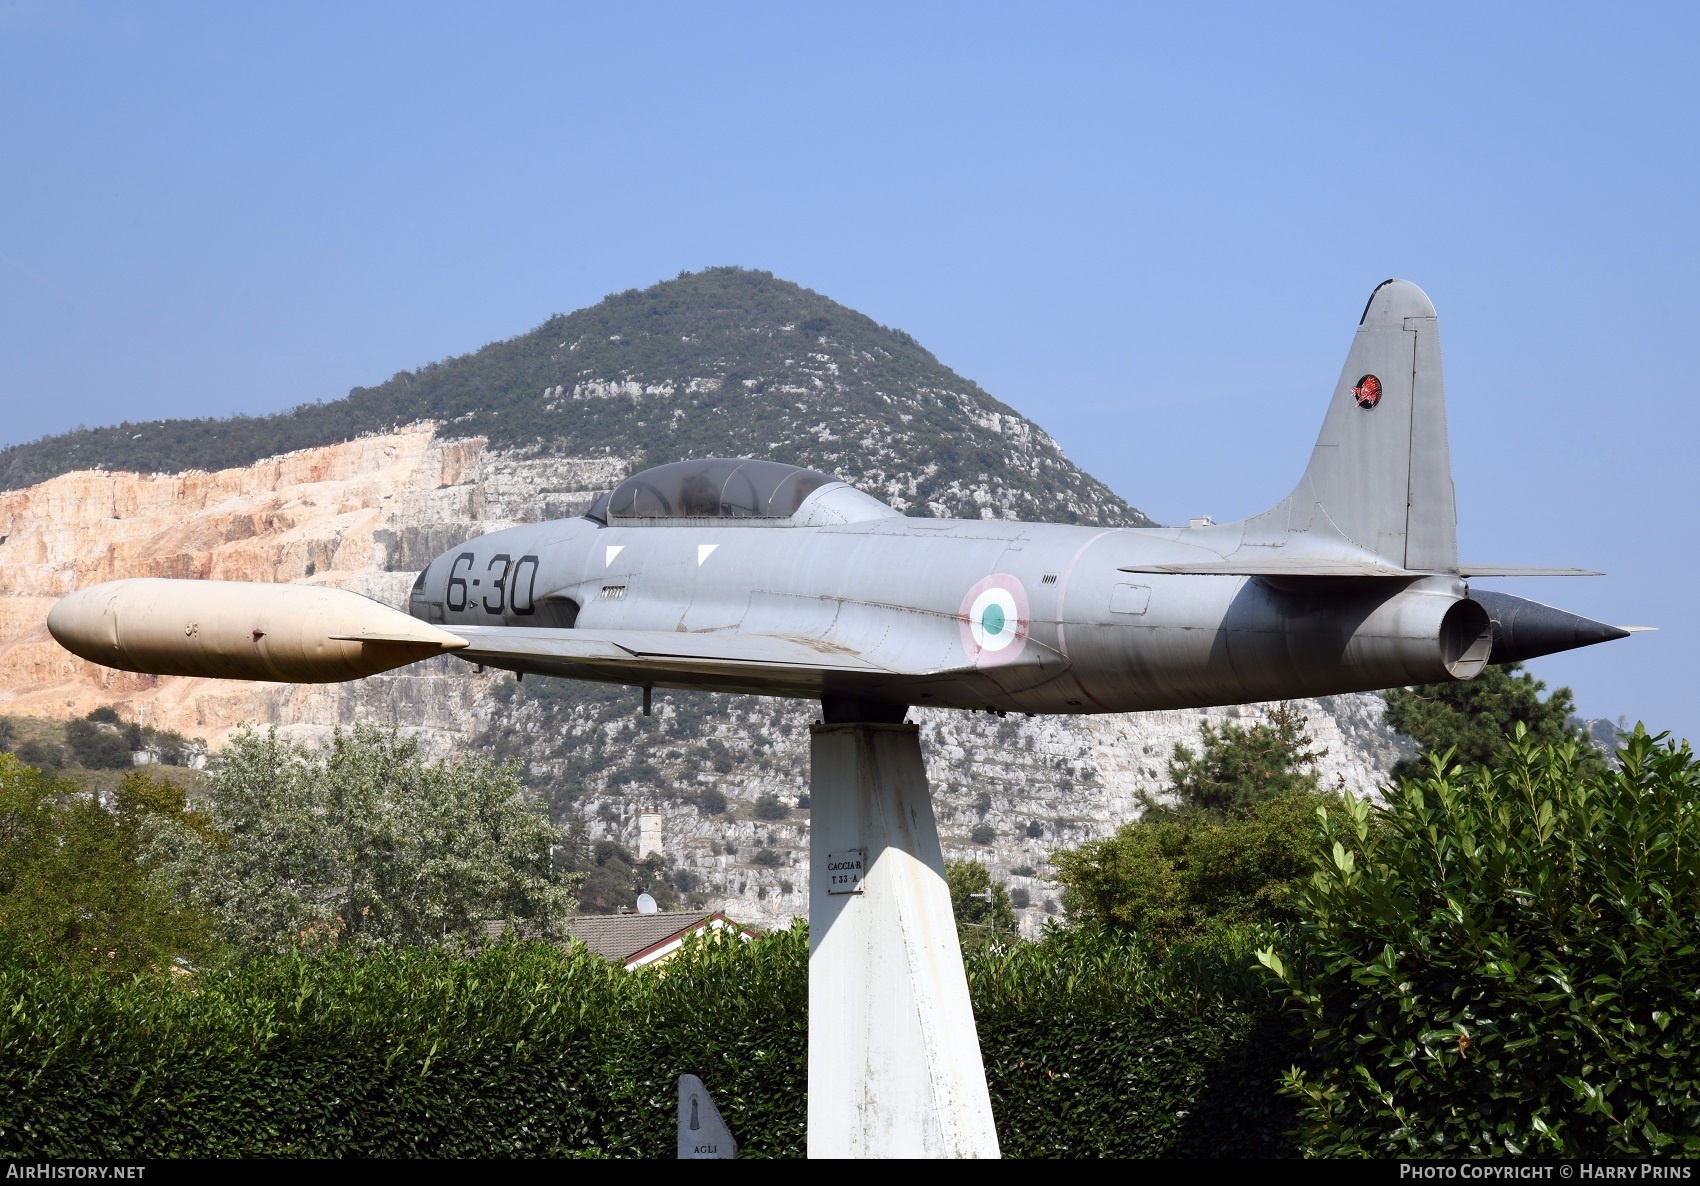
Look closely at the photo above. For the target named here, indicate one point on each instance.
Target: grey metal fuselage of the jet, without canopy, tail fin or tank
(897, 594)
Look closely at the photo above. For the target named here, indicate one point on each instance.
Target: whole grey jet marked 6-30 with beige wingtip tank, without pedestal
(744, 575)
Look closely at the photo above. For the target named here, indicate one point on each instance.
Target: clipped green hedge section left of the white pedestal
(523, 1051)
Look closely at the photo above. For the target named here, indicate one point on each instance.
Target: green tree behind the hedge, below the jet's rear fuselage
(1228, 847)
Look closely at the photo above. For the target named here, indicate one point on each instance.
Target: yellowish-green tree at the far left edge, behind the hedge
(72, 889)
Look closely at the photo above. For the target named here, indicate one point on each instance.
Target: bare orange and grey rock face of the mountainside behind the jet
(366, 516)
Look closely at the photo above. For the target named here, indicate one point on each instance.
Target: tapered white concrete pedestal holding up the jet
(895, 1065)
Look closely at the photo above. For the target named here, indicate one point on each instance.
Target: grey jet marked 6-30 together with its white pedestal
(742, 575)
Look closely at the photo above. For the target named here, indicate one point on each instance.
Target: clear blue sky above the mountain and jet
(1148, 229)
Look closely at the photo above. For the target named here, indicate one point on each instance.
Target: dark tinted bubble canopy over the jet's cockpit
(717, 489)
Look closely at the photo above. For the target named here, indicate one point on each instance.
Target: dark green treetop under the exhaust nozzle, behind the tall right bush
(1476, 720)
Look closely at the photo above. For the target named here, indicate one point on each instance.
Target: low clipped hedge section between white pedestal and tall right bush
(1097, 1046)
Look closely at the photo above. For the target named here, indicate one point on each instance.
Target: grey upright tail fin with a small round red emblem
(1381, 477)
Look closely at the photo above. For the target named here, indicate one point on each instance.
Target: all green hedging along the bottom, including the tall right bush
(1490, 964)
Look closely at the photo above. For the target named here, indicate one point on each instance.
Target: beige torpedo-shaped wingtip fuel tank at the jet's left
(241, 631)
